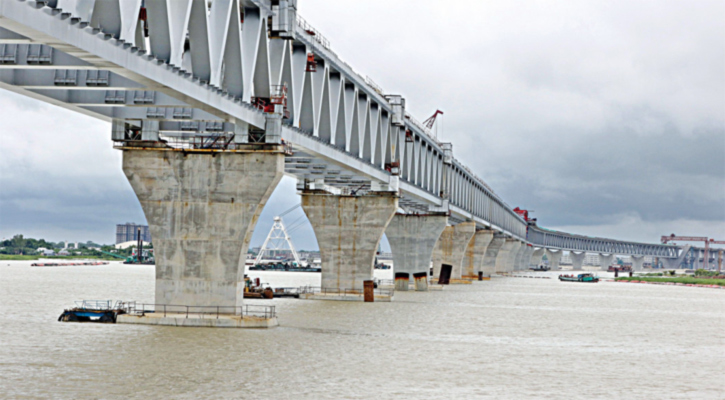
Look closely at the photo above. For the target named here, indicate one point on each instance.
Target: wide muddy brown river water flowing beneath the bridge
(506, 338)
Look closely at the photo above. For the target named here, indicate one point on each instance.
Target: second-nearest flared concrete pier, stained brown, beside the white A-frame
(348, 231)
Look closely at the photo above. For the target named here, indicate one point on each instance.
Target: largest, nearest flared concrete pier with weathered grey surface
(201, 209)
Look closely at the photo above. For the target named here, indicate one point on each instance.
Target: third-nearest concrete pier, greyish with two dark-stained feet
(412, 239)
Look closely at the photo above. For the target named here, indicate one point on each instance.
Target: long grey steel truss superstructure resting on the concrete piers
(239, 71)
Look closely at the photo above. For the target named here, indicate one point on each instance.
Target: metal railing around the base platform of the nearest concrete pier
(246, 310)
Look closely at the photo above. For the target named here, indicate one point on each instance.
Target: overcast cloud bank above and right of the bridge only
(582, 111)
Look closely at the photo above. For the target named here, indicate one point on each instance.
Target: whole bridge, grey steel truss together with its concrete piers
(212, 102)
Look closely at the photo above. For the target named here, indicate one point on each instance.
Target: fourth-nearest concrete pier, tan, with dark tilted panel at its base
(451, 248)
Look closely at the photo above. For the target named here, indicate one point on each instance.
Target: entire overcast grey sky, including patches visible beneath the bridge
(607, 118)
